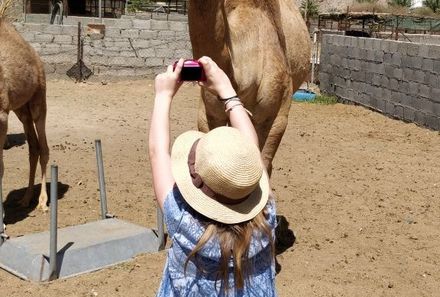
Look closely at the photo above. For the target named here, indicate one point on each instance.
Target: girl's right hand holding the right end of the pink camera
(216, 80)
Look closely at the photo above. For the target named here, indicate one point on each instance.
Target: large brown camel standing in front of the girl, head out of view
(264, 47)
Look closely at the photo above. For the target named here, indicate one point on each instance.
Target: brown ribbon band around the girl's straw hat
(199, 184)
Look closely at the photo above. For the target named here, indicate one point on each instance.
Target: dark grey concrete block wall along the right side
(399, 79)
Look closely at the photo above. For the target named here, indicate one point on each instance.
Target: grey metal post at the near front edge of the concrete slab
(53, 222)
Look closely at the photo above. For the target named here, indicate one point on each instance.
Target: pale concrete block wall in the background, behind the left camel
(130, 47)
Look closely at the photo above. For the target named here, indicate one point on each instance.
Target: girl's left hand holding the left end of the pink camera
(166, 84)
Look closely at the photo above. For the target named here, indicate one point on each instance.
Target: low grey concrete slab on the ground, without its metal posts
(81, 249)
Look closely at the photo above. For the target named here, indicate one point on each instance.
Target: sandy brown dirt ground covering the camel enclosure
(359, 190)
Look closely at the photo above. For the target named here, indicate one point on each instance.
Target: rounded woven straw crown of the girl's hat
(228, 163)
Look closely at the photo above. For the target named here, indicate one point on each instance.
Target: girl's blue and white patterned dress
(185, 229)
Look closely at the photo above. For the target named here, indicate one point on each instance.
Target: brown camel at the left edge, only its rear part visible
(23, 90)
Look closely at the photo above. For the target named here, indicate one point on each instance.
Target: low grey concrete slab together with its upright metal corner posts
(84, 248)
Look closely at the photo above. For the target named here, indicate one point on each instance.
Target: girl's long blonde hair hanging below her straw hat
(234, 241)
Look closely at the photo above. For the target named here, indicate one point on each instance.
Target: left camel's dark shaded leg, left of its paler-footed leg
(25, 117)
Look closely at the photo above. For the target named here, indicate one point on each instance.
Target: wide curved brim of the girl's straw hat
(223, 213)
